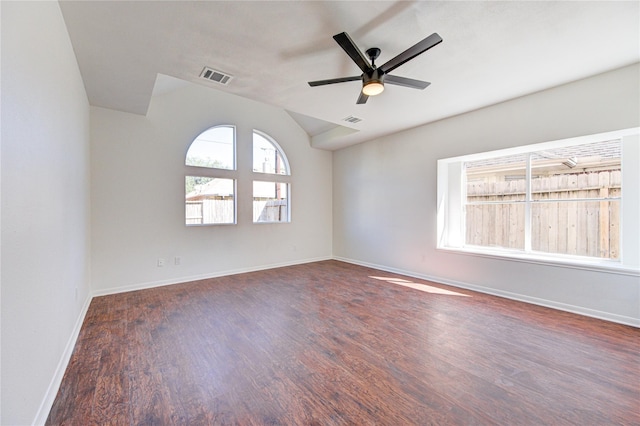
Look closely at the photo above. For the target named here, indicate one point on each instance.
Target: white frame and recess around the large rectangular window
(451, 194)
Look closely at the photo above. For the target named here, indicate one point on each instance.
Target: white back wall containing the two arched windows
(137, 184)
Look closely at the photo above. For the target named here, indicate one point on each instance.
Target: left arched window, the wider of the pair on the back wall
(210, 194)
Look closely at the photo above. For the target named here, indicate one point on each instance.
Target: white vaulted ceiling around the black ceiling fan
(492, 51)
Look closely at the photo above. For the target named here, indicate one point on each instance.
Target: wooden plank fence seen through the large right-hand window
(576, 214)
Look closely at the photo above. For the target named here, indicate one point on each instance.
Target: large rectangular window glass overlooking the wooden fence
(563, 200)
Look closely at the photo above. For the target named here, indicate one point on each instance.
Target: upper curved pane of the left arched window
(213, 148)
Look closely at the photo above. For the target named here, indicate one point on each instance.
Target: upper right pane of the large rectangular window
(585, 171)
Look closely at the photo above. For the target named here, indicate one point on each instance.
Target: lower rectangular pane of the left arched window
(209, 200)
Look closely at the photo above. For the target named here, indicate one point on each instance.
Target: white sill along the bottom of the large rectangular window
(549, 260)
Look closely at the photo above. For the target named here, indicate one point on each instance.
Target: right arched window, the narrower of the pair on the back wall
(270, 192)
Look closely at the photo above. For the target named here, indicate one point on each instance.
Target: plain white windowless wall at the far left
(45, 204)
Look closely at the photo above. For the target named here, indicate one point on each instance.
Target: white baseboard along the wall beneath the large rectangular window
(607, 316)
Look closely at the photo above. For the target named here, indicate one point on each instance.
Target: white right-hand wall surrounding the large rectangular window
(384, 195)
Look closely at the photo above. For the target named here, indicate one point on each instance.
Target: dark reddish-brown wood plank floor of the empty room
(328, 343)
